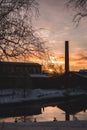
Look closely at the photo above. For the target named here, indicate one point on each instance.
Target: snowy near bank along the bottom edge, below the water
(56, 125)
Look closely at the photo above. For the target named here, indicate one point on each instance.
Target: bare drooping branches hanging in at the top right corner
(80, 7)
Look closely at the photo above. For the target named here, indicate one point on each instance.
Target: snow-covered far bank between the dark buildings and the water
(20, 95)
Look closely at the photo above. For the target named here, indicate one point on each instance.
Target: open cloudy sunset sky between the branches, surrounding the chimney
(55, 25)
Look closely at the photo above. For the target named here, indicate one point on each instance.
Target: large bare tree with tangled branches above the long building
(17, 36)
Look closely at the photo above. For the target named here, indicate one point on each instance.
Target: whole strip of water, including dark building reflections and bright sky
(73, 108)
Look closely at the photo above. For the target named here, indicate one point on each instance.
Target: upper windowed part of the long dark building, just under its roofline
(14, 68)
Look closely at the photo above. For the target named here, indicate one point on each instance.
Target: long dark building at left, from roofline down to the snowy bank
(17, 74)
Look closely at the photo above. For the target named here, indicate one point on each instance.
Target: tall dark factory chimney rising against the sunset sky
(66, 56)
